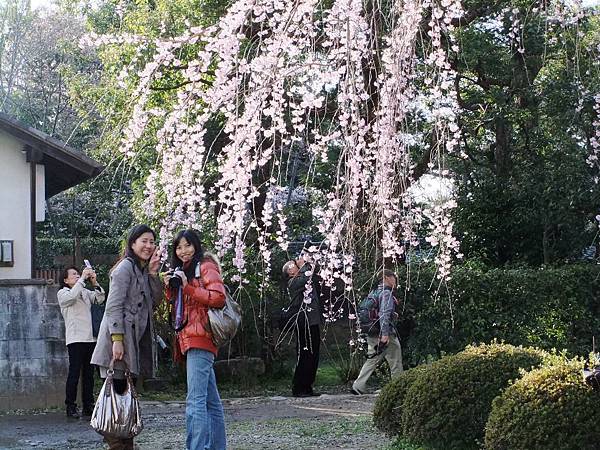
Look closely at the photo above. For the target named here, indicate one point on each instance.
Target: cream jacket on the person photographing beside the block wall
(75, 304)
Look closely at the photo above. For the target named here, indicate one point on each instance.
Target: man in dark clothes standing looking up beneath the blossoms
(306, 317)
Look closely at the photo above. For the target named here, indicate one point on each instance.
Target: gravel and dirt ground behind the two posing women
(326, 422)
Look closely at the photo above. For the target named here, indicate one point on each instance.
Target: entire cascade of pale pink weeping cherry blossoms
(276, 68)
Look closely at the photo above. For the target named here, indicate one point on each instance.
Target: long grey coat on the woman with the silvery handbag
(132, 296)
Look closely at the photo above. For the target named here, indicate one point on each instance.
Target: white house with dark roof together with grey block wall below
(33, 354)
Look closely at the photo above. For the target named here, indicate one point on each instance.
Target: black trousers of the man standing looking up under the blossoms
(308, 341)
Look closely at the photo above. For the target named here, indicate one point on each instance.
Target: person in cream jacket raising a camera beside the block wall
(75, 305)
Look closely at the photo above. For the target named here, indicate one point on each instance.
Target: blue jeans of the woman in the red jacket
(203, 411)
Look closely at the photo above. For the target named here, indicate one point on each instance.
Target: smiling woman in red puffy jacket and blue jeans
(197, 283)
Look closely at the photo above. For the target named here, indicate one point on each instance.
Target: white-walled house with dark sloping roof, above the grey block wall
(33, 168)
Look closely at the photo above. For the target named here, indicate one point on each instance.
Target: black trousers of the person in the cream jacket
(80, 354)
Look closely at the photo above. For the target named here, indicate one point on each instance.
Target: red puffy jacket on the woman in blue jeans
(198, 295)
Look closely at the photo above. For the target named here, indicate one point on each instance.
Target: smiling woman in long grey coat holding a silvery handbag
(127, 329)
